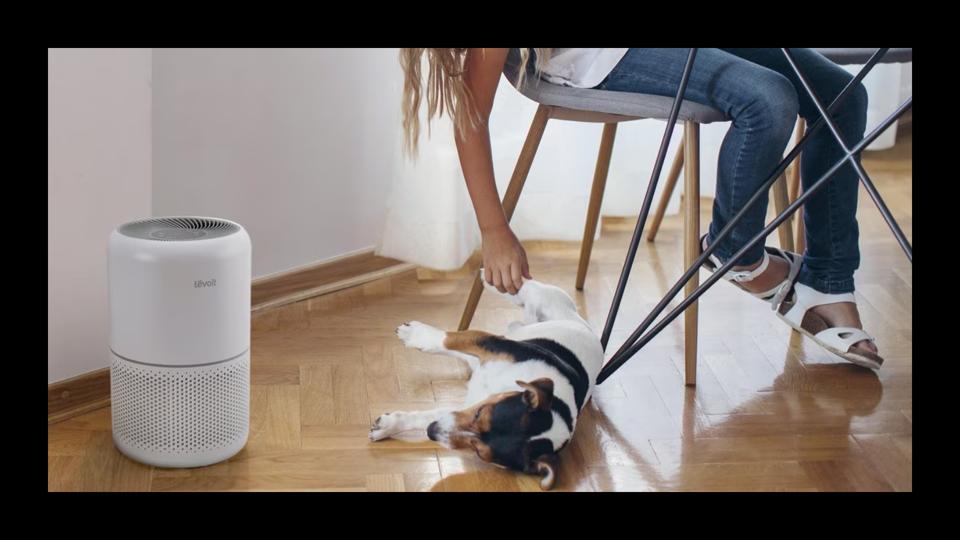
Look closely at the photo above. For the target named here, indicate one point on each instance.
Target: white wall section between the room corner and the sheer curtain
(294, 144)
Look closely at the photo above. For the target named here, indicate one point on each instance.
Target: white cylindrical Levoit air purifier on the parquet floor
(180, 339)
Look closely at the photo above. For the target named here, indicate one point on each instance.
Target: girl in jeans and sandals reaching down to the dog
(757, 90)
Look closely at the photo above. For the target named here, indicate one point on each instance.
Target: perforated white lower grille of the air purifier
(180, 411)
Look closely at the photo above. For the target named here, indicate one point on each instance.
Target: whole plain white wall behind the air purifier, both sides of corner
(290, 143)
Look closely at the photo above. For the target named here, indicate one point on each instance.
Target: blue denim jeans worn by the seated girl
(758, 90)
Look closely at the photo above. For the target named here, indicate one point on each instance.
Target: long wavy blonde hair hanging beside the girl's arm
(446, 89)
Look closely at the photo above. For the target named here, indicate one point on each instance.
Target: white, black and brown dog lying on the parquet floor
(526, 390)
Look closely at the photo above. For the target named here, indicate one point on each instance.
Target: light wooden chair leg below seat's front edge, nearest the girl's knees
(691, 242)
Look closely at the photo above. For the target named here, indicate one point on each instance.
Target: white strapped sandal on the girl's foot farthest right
(796, 312)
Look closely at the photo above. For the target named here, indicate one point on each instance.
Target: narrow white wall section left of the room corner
(98, 160)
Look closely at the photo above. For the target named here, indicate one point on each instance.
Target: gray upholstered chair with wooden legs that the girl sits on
(609, 108)
